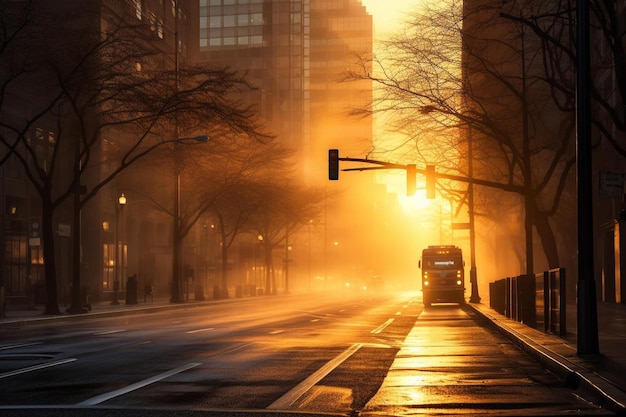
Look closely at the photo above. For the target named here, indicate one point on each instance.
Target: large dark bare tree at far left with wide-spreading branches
(85, 86)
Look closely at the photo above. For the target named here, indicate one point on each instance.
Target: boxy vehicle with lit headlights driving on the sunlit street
(443, 275)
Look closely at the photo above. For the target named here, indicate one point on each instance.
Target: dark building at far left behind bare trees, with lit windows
(162, 23)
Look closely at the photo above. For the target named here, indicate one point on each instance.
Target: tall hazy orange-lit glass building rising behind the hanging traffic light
(294, 51)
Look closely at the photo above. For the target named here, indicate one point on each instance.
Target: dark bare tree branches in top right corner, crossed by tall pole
(554, 25)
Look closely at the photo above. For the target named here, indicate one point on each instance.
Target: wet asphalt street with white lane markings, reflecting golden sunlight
(292, 353)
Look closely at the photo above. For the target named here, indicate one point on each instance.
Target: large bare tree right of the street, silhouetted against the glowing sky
(478, 79)
